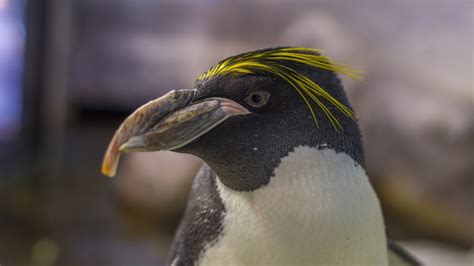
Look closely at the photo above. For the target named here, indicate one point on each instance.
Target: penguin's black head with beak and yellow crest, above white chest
(246, 113)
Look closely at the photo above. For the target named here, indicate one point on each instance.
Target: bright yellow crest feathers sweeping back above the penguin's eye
(272, 61)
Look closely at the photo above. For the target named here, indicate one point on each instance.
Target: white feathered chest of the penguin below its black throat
(318, 209)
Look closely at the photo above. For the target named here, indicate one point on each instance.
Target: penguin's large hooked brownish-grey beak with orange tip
(168, 123)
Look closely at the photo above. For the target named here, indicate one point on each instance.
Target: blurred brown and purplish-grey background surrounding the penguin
(71, 70)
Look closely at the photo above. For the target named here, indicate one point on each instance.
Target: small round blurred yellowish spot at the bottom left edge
(45, 252)
